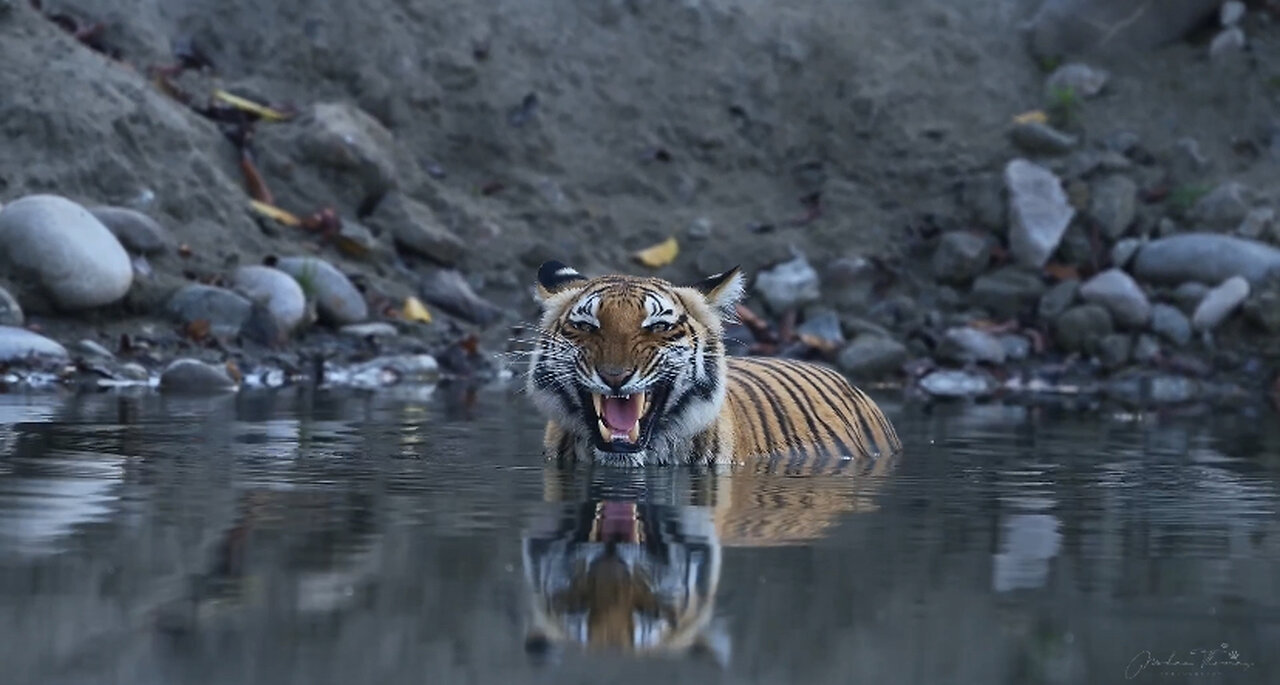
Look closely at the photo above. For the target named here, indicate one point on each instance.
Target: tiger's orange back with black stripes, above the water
(802, 410)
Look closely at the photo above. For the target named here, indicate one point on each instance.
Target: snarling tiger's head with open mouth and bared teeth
(630, 368)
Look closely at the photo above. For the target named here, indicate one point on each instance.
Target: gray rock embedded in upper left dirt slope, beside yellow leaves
(345, 139)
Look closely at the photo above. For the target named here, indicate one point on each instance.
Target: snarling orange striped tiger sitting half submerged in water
(633, 372)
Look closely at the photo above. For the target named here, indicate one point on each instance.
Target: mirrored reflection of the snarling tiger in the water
(629, 561)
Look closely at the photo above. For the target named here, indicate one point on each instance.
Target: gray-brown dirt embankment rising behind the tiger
(478, 140)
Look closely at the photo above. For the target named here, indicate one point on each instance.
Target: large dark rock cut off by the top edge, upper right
(1113, 28)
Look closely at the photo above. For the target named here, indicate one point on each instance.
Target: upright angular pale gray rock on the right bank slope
(1039, 212)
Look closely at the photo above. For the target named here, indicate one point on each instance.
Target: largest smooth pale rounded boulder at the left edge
(74, 257)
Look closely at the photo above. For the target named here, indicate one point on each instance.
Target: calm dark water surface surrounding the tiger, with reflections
(350, 538)
